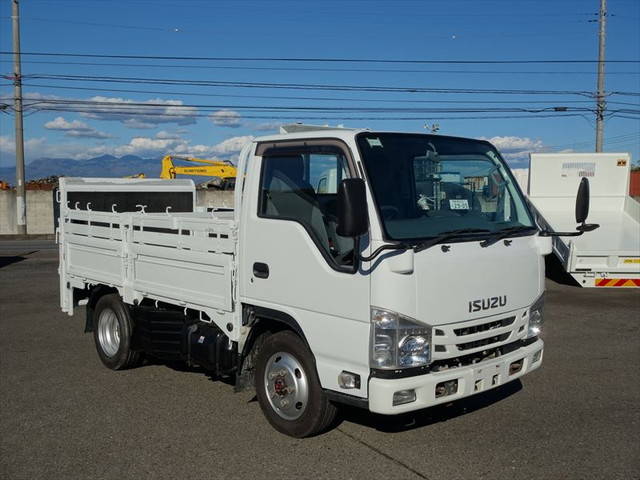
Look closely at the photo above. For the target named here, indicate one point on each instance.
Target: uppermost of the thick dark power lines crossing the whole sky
(316, 59)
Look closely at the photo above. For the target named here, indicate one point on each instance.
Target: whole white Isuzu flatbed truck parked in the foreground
(417, 279)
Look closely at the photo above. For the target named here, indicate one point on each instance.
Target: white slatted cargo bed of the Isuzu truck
(185, 259)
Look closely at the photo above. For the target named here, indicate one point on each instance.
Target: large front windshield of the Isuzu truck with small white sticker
(425, 185)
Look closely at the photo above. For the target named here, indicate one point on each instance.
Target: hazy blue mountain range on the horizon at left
(103, 166)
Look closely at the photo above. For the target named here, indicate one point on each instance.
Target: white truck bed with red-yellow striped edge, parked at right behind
(610, 256)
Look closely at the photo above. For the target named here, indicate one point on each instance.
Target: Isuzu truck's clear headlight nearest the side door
(398, 341)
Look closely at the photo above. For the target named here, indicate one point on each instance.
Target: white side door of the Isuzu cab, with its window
(293, 261)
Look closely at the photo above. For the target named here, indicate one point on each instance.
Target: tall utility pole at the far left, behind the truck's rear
(21, 204)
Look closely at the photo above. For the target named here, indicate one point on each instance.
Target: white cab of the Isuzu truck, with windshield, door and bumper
(412, 327)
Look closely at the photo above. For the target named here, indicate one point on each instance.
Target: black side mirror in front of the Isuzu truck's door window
(353, 216)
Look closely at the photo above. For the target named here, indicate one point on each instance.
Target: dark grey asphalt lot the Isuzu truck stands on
(63, 415)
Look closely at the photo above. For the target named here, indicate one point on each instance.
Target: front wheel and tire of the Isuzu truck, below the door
(288, 388)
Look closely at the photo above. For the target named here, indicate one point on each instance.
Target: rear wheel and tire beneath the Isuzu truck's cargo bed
(112, 331)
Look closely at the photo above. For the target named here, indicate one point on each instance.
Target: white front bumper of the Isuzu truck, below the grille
(472, 379)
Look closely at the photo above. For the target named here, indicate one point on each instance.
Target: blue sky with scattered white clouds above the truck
(401, 29)
